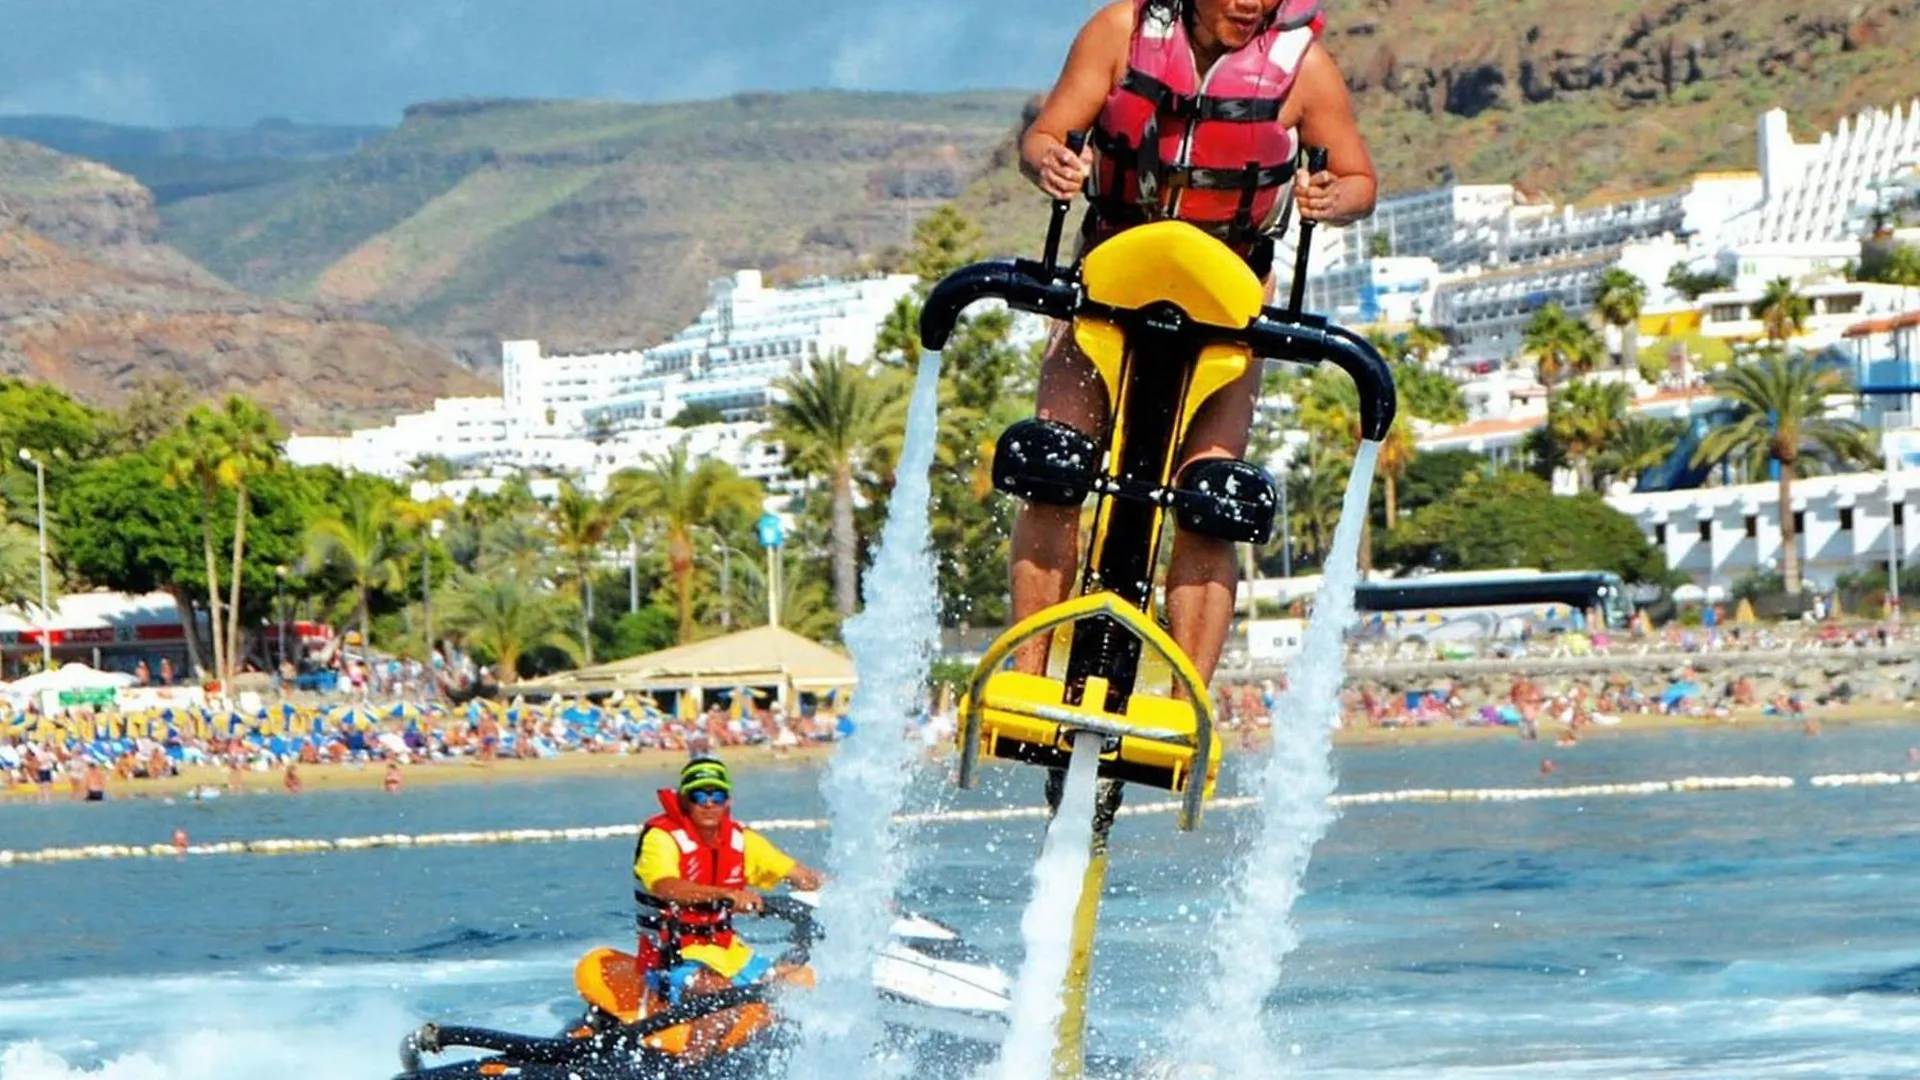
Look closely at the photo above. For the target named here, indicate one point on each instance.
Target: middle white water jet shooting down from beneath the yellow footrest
(1047, 927)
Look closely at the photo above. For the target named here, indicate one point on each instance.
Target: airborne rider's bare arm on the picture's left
(1076, 103)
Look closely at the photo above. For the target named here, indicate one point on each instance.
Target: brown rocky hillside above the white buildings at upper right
(1577, 99)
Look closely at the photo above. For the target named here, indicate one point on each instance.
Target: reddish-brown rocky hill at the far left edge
(91, 301)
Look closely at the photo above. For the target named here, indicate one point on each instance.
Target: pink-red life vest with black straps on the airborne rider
(1207, 151)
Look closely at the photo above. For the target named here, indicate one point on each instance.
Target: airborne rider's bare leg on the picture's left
(1045, 545)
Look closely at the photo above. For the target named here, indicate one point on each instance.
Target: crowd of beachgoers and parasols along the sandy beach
(84, 750)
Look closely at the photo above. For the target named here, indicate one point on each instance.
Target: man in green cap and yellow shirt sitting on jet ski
(696, 868)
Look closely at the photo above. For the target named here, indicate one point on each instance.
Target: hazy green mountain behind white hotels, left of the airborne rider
(592, 224)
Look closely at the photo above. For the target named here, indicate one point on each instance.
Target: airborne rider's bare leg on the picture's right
(1201, 579)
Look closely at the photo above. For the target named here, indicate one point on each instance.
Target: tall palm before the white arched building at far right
(1783, 420)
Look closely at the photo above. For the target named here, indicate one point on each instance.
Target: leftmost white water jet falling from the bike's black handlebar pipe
(865, 785)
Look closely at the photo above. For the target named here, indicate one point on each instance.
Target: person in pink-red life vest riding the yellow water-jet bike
(1214, 151)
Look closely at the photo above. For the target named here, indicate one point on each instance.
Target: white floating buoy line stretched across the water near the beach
(306, 847)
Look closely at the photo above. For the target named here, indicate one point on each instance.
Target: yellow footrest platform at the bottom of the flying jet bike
(1024, 718)
